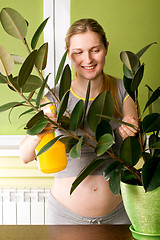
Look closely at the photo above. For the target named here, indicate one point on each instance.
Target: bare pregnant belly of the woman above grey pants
(91, 198)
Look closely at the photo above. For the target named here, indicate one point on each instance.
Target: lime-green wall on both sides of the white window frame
(129, 25)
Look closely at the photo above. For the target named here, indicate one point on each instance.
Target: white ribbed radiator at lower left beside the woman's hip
(23, 206)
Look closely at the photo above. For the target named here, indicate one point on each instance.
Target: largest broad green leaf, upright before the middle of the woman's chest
(102, 105)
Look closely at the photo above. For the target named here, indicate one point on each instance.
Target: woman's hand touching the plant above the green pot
(126, 131)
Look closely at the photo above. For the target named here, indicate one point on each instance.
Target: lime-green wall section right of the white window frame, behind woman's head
(129, 25)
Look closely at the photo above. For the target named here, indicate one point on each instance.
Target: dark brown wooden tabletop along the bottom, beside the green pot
(63, 232)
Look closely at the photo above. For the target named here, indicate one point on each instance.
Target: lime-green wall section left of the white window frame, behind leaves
(32, 11)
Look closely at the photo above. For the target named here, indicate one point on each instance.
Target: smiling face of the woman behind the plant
(87, 54)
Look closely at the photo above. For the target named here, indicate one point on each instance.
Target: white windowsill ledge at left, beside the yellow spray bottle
(9, 145)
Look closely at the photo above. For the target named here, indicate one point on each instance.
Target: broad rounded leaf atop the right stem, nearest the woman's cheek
(130, 60)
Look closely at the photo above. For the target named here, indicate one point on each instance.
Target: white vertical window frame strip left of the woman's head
(55, 32)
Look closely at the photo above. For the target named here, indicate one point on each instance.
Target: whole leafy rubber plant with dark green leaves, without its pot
(31, 89)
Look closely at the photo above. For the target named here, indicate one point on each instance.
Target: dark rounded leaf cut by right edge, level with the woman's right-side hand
(151, 123)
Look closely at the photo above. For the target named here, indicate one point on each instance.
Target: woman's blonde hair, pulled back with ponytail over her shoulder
(88, 24)
